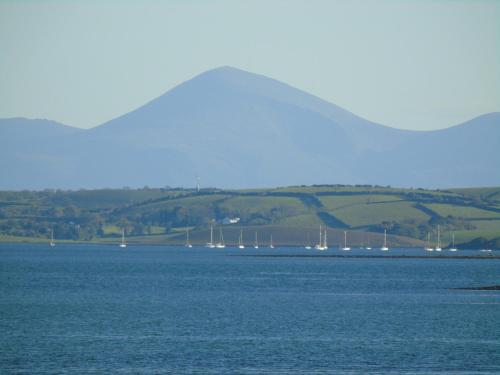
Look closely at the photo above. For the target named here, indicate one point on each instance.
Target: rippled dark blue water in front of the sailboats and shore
(147, 310)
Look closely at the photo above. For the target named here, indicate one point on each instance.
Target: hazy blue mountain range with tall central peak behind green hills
(237, 129)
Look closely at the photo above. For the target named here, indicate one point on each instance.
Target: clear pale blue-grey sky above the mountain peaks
(418, 65)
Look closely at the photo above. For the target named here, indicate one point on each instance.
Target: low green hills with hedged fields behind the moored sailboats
(291, 215)
